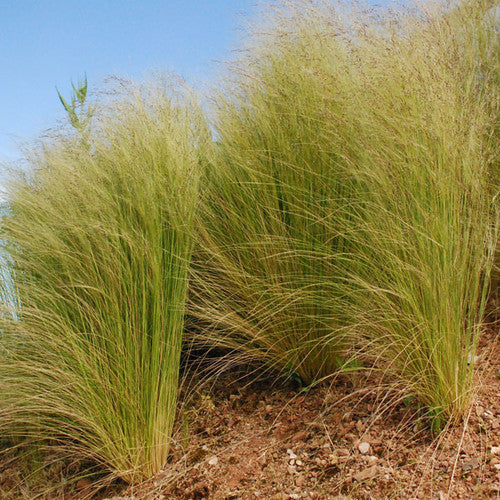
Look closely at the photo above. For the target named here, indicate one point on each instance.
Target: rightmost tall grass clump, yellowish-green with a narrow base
(430, 225)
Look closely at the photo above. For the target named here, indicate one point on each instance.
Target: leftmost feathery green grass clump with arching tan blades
(99, 239)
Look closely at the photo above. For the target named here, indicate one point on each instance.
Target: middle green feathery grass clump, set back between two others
(268, 277)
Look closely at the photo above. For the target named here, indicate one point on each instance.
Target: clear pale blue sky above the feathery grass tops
(46, 43)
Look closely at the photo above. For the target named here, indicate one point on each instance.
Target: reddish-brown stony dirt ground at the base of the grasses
(269, 442)
